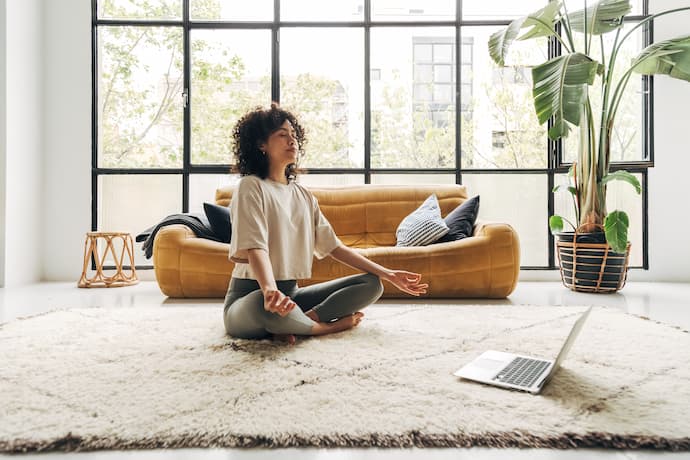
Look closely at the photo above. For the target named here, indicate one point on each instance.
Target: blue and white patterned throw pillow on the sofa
(423, 226)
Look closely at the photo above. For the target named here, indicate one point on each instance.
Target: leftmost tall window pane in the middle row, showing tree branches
(140, 100)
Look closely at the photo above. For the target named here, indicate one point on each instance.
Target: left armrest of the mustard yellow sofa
(187, 266)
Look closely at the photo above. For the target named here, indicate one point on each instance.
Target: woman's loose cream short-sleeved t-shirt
(285, 220)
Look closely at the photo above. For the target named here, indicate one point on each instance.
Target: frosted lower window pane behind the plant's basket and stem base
(619, 196)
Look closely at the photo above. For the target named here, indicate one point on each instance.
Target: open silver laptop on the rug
(518, 372)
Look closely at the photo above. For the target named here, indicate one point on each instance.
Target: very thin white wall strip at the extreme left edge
(3, 139)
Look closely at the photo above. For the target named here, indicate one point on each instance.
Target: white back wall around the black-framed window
(67, 156)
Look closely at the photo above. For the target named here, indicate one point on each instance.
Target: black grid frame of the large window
(553, 150)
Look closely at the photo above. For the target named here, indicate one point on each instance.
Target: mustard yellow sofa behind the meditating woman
(364, 217)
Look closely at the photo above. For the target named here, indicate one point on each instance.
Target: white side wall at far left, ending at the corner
(23, 141)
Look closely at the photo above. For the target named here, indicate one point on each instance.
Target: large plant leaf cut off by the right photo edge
(668, 57)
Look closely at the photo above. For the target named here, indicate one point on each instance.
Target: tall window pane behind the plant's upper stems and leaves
(626, 141)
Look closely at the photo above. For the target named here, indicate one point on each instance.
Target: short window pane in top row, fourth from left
(413, 10)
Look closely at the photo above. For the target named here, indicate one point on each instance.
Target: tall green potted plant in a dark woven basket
(561, 93)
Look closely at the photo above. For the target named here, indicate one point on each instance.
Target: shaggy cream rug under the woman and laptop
(169, 377)
